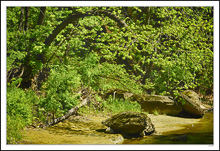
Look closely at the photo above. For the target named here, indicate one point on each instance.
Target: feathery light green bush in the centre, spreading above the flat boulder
(105, 76)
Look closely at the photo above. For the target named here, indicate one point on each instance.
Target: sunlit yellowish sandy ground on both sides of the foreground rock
(89, 130)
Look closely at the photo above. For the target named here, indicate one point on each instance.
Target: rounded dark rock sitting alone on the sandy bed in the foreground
(130, 123)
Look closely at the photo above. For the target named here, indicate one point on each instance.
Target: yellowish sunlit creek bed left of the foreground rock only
(76, 130)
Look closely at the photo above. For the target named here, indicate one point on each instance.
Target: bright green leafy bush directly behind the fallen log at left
(59, 90)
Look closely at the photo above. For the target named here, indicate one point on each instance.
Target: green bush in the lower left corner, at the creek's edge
(19, 112)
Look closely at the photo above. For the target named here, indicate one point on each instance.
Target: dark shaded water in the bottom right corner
(199, 133)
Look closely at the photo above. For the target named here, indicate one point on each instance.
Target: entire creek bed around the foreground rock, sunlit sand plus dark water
(89, 130)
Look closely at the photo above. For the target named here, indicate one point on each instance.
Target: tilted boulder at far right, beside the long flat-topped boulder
(192, 104)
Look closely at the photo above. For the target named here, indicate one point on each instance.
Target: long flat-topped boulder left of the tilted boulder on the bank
(158, 103)
